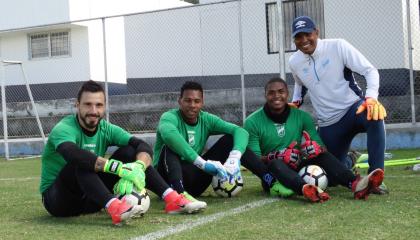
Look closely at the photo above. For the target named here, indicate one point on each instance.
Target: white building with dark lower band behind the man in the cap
(202, 42)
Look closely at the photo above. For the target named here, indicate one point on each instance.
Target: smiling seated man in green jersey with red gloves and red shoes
(274, 133)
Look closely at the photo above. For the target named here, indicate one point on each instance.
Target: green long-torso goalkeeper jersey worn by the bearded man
(69, 130)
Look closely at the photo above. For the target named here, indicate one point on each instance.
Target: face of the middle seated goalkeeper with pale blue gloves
(190, 104)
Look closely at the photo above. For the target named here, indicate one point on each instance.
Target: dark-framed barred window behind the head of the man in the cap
(291, 9)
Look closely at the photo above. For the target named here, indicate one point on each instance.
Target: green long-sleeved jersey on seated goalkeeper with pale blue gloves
(188, 141)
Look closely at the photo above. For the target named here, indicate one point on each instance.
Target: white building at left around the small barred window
(73, 50)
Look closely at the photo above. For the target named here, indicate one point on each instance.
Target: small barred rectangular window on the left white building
(49, 45)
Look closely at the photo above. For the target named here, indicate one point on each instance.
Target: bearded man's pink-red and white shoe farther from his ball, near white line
(177, 203)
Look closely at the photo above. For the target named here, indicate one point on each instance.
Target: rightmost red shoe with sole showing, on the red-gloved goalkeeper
(363, 186)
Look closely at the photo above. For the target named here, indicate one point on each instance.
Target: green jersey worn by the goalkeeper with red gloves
(266, 136)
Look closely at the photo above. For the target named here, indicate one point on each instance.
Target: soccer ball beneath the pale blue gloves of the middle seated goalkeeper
(227, 188)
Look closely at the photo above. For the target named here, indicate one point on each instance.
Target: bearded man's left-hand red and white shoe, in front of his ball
(121, 211)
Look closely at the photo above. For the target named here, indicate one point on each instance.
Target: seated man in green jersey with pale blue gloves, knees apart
(181, 138)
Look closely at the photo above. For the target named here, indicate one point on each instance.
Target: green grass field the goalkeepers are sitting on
(393, 216)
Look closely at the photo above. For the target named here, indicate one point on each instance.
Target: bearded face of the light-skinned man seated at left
(90, 109)
